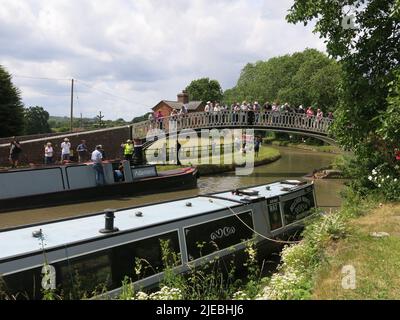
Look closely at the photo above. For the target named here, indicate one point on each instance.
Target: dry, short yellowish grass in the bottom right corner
(376, 260)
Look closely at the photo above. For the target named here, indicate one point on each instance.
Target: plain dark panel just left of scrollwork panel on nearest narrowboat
(143, 258)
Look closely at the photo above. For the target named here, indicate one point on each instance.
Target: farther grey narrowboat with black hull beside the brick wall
(53, 185)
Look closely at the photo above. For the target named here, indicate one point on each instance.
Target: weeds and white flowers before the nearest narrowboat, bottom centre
(214, 280)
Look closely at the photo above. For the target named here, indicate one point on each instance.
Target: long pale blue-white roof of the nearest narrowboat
(20, 240)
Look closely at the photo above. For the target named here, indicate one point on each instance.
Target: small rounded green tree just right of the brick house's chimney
(204, 89)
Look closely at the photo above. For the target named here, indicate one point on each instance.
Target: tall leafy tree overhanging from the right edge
(368, 51)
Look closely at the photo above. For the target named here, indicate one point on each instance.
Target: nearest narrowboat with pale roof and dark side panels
(102, 248)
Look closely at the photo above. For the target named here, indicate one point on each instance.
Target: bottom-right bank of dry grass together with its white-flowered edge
(336, 244)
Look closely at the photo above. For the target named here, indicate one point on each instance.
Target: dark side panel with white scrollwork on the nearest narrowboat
(209, 237)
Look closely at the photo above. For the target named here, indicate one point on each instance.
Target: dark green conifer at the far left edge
(11, 107)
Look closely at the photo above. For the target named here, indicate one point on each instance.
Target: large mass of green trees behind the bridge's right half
(308, 78)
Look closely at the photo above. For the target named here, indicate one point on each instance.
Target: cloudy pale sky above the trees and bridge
(127, 55)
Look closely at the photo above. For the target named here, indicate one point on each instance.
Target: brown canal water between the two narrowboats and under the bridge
(294, 163)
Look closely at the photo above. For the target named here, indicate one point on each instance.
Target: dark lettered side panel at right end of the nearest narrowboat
(299, 207)
